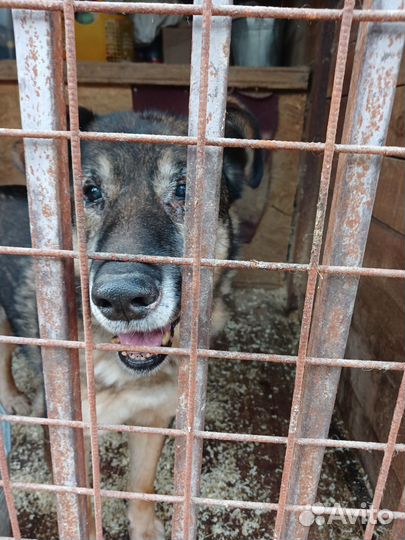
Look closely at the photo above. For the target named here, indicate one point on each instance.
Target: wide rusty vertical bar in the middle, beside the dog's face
(208, 91)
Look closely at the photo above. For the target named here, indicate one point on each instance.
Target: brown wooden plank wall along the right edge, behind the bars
(366, 399)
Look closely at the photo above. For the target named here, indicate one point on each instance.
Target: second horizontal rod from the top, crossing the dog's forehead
(266, 144)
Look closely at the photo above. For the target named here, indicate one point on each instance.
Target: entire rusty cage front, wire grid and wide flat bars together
(323, 332)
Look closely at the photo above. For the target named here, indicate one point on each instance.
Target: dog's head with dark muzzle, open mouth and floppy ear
(134, 197)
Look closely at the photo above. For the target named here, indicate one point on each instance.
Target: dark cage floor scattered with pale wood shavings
(244, 397)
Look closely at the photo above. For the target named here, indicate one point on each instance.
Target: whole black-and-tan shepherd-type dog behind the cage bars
(134, 200)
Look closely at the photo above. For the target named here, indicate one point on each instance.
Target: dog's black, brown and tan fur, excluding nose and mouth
(138, 209)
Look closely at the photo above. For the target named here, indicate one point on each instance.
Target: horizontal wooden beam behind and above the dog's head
(136, 73)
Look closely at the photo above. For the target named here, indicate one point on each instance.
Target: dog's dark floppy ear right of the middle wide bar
(242, 166)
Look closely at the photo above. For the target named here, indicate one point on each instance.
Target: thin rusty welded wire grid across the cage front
(196, 262)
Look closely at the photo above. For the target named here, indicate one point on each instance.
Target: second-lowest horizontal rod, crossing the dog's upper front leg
(206, 435)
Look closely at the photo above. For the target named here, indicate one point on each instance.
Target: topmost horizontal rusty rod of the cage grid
(217, 11)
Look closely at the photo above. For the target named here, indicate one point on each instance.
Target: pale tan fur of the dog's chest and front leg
(147, 402)
